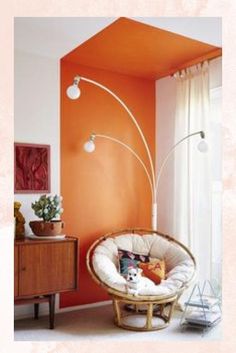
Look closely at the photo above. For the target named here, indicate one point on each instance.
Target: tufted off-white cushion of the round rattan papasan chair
(179, 265)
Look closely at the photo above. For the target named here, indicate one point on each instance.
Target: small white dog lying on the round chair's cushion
(136, 282)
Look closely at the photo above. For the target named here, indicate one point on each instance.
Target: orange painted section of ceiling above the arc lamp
(133, 48)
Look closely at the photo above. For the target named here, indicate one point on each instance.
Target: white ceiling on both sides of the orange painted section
(56, 36)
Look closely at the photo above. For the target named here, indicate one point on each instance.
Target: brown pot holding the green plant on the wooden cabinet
(51, 228)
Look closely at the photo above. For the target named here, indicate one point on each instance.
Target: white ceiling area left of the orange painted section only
(55, 36)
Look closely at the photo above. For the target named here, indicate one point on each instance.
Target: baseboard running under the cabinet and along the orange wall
(27, 311)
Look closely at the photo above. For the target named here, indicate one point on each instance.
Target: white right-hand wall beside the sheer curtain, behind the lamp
(165, 125)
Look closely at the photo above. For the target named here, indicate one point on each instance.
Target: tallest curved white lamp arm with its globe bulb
(75, 86)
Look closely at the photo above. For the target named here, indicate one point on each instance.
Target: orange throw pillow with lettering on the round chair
(154, 270)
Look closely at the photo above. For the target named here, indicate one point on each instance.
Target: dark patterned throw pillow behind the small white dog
(129, 259)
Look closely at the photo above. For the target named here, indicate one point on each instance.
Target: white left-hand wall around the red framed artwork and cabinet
(37, 120)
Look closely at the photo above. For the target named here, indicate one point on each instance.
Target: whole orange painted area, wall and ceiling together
(108, 189)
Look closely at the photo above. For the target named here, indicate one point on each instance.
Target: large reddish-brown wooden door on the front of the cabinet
(47, 267)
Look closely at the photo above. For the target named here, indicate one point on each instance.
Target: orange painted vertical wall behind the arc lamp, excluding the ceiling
(108, 189)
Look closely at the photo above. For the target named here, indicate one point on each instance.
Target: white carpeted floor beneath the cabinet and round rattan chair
(97, 324)
